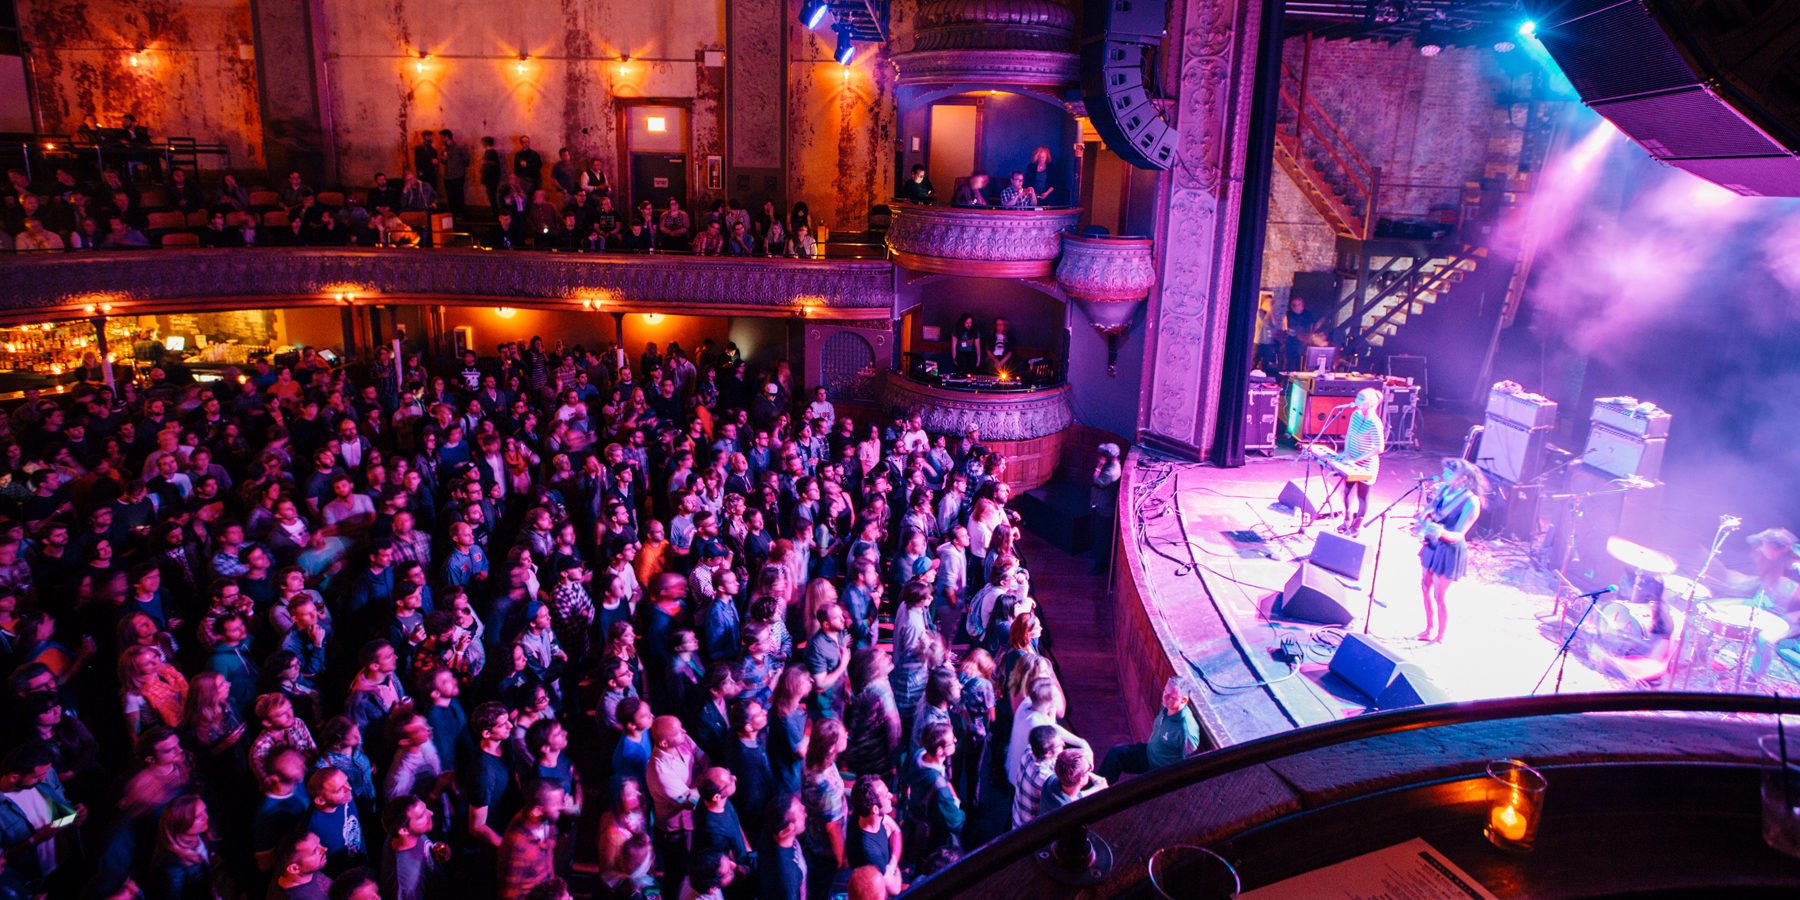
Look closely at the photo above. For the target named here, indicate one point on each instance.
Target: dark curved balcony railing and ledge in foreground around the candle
(1655, 802)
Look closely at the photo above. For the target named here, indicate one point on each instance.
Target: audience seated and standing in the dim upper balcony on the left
(573, 210)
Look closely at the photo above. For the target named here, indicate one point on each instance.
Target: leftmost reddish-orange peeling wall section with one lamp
(192, 80)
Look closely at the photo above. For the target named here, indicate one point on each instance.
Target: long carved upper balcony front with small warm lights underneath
(44, 283)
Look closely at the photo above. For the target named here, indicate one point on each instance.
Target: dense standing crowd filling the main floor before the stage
(553, 618)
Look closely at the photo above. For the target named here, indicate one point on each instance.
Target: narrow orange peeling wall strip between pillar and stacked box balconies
(843, 123)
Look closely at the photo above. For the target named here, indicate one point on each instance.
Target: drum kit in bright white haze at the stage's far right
(1702, 636)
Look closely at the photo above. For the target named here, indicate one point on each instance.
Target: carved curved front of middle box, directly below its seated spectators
(978, 242)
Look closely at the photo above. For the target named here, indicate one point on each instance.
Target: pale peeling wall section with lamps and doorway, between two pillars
(472, 85)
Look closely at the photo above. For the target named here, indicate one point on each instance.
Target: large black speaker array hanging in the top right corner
(1693, 84)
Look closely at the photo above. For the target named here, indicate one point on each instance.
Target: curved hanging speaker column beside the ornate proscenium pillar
(1120, 42)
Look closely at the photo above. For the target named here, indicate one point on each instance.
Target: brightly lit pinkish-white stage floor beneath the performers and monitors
(1209, 552)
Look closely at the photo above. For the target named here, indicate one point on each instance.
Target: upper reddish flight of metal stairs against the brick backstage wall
(1309, 147)
